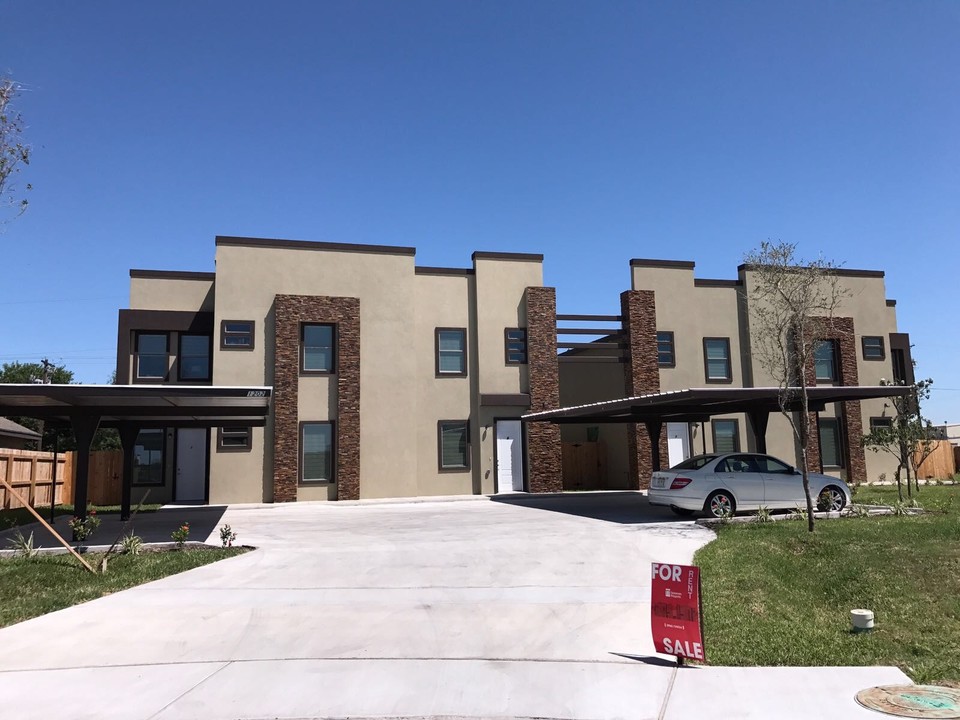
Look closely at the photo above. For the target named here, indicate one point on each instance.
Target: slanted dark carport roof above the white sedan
(696, 404)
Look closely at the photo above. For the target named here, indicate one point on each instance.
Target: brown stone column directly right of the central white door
(545, 469)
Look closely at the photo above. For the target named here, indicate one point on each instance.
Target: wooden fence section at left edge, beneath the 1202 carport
(31, 474)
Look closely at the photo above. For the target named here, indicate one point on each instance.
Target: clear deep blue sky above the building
(590, 132)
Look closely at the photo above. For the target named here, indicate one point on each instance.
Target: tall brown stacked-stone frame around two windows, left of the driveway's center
(290, 311)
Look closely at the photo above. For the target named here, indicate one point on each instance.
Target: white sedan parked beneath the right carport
(721, 485)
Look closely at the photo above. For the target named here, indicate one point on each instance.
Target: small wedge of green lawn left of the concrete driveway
(35, 586)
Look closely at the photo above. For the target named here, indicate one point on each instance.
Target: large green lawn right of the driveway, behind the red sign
(773, 594)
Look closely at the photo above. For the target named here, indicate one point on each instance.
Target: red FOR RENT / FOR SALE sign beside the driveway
(675, 611)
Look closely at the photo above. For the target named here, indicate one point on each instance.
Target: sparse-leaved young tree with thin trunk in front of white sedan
(791, 303)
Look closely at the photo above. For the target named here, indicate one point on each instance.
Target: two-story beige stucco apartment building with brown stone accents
(395, 380)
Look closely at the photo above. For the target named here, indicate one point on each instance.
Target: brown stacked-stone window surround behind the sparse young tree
(842, 331)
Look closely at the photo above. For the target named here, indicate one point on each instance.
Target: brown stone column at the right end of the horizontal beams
(641, 374)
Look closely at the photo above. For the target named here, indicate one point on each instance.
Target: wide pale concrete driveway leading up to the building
(516, 607)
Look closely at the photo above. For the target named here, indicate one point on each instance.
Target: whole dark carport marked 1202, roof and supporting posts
(129, 409)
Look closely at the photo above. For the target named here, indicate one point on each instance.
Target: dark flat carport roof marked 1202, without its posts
(167, 405)
